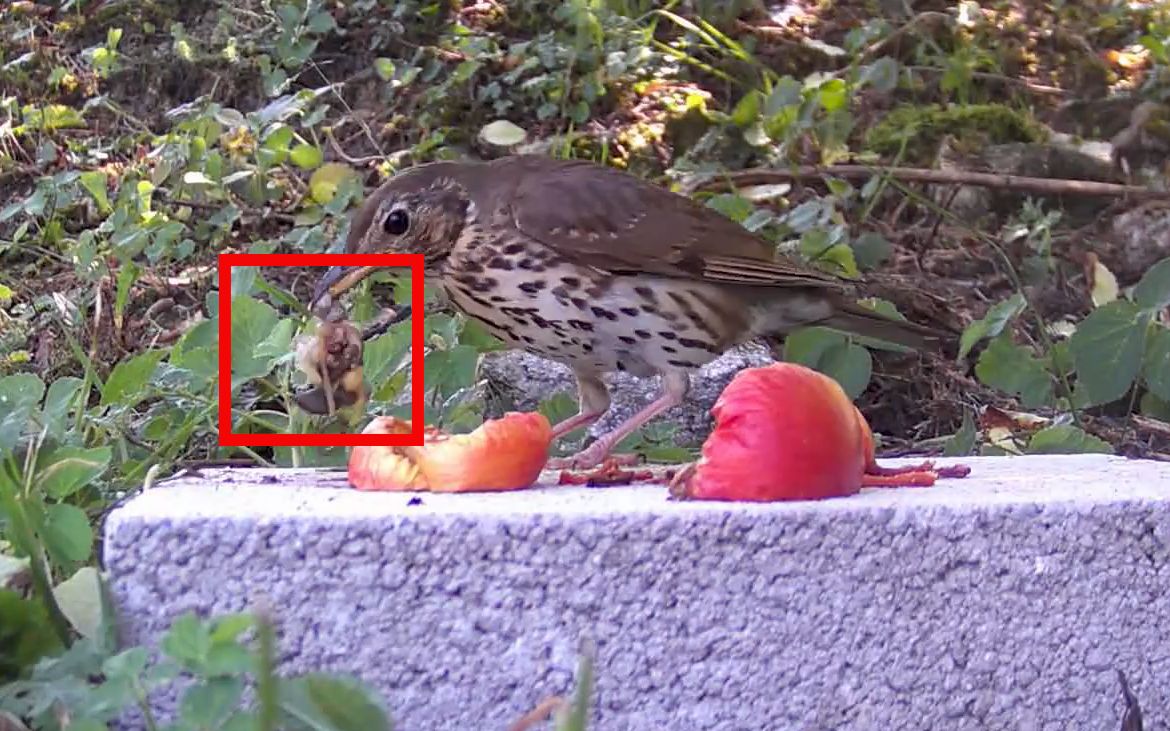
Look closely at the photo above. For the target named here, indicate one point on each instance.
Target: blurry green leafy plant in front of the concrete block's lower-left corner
(210, 665)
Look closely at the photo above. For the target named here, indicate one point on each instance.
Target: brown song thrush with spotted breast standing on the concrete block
(601, 271)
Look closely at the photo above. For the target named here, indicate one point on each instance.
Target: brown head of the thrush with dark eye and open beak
(422, 211)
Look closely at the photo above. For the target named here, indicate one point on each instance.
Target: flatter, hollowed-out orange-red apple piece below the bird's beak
(501, 454)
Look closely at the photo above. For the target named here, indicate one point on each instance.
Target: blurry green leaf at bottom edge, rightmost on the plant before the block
(326, 704)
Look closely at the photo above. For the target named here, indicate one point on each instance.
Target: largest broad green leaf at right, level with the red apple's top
(1107, 351)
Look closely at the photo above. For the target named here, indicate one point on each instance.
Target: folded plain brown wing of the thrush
(617, 223)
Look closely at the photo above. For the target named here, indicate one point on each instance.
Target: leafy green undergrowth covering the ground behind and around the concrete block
(141, 140)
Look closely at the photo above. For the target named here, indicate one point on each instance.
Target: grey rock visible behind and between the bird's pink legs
(518, 381)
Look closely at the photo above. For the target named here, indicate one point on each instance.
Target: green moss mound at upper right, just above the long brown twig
(925, 127)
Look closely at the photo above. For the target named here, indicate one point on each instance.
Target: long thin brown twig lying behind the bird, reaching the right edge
(1052, 187)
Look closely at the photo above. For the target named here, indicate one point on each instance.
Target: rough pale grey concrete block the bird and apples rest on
(1006, 601)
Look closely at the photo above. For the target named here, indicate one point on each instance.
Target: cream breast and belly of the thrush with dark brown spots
(533, 299)
